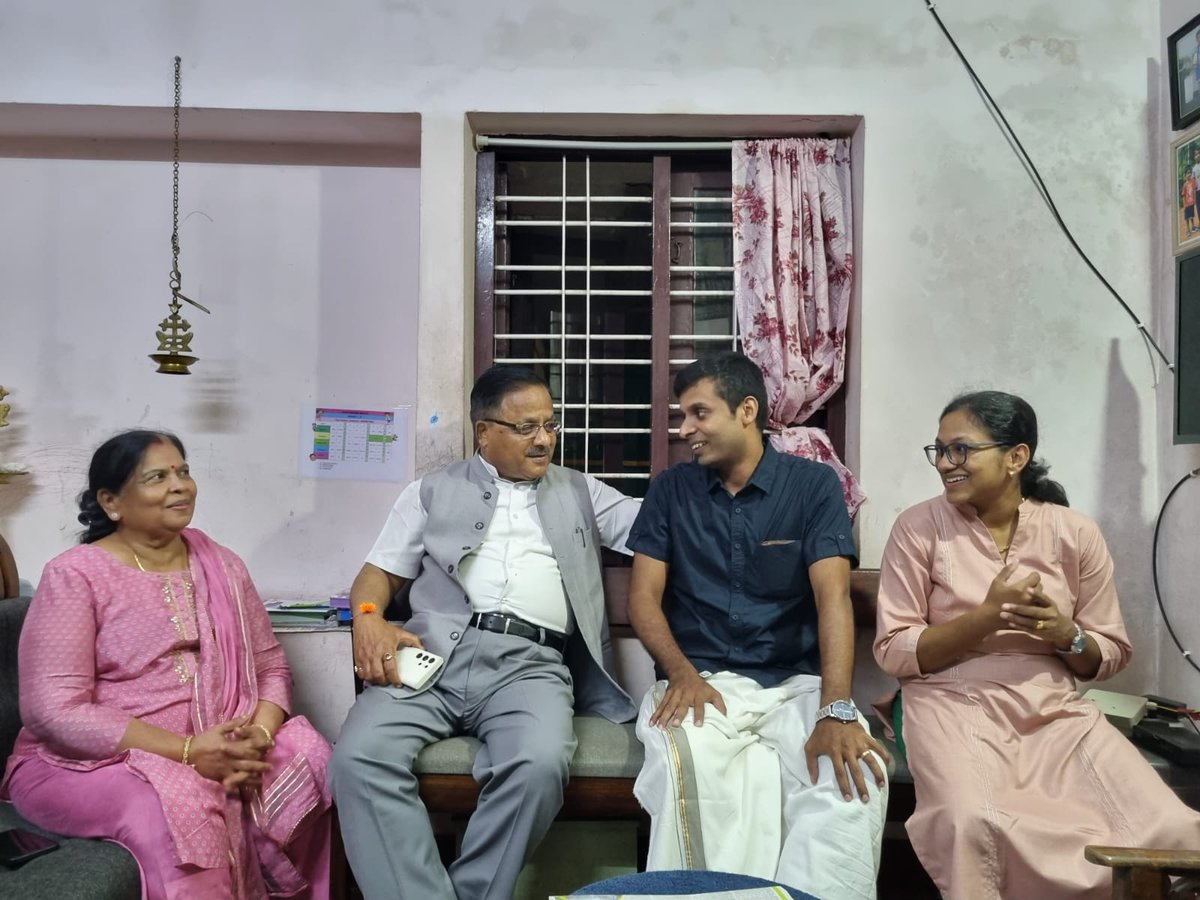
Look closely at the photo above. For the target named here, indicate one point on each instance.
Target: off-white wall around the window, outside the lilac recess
(965, 280)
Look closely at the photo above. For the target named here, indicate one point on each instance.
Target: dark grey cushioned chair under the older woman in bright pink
(79, 869)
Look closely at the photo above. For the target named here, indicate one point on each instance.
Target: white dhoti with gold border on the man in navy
(735, 795)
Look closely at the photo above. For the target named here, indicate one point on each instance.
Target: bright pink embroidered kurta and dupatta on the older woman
(105, 644)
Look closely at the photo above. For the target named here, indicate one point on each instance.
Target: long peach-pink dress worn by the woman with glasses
(1015, 772)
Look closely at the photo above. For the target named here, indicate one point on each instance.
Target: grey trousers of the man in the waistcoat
(512, 694)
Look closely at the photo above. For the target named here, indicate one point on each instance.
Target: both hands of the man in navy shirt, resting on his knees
(847, 745)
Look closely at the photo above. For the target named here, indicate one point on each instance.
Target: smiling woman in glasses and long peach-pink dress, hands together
(994, 598)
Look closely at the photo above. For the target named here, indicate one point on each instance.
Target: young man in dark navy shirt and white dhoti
(741, 592)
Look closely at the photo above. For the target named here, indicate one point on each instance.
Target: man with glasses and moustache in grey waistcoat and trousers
(503, 554)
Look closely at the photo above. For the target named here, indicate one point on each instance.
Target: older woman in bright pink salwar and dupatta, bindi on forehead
(155, 699)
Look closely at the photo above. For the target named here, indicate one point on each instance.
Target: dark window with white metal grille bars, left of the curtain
(605, 274)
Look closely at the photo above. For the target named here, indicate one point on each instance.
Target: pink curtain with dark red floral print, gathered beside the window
(794, 268)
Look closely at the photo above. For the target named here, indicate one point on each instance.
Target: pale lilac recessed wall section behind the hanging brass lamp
(311, 278)
